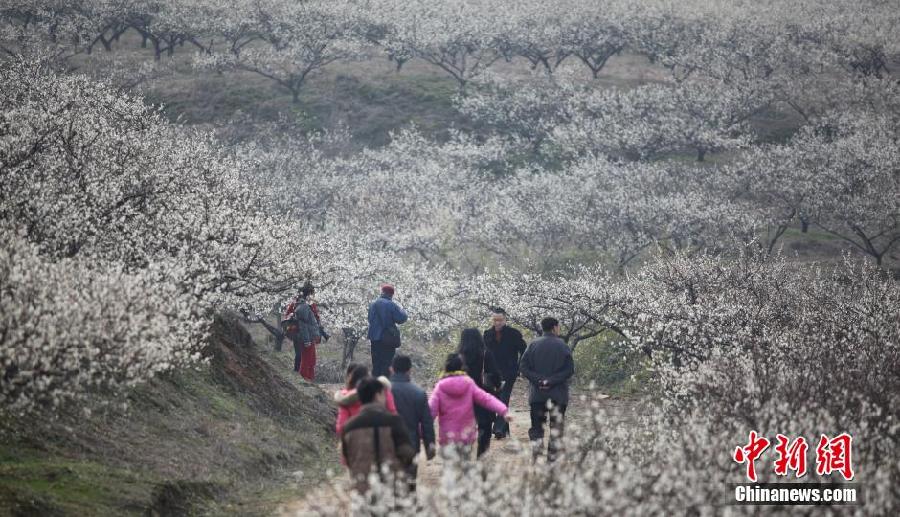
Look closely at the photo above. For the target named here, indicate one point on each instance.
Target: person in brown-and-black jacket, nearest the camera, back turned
(375, 439)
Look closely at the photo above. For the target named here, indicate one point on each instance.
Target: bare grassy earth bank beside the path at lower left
(229, 438)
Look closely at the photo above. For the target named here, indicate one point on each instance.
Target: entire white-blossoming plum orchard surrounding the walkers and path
(666, 215)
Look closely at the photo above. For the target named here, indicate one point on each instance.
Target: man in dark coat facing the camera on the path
(507, 346)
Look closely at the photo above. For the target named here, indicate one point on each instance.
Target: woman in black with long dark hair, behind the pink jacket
(481, 367)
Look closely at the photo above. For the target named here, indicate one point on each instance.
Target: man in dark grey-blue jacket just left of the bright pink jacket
(412, 406)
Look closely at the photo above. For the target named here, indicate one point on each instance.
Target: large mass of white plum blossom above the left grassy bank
(115, 203)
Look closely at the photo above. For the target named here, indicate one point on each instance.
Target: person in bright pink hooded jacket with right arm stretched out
(453, 403)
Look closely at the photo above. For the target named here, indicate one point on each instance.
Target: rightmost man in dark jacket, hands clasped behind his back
(548, 366)
